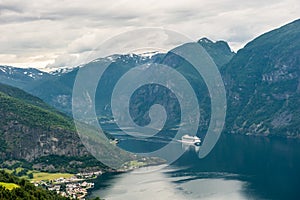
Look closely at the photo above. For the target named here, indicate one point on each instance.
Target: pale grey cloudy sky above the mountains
(59, 33)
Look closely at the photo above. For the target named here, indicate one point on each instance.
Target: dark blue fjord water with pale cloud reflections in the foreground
(239, 167)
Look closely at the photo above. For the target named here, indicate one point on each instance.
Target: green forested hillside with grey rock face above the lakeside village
(32, 132)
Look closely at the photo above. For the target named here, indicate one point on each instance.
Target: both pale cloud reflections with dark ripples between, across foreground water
(152, 184)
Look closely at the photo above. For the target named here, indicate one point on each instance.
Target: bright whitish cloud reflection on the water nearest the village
(142, 185)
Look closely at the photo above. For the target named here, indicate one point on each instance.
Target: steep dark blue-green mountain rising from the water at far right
(263, 84)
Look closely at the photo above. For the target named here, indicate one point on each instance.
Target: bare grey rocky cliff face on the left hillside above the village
(23, 142)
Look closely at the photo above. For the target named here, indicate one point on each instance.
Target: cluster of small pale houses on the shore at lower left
(75, 187)
